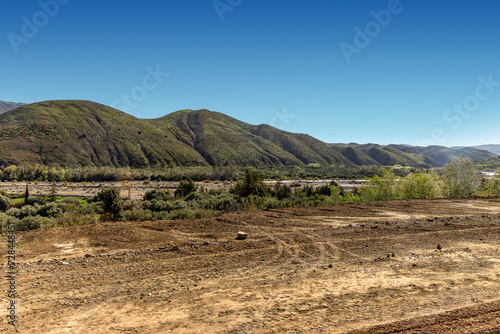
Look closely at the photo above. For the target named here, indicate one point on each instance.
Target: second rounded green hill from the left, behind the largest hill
(221, 139)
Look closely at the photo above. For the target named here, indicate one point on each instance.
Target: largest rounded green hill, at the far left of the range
(82, 133)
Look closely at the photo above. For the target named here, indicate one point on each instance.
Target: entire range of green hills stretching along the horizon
(83, 133)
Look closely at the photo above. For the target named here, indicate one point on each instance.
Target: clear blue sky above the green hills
(280, 62)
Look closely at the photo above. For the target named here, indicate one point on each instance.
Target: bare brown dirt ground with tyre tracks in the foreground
(360, 268)
